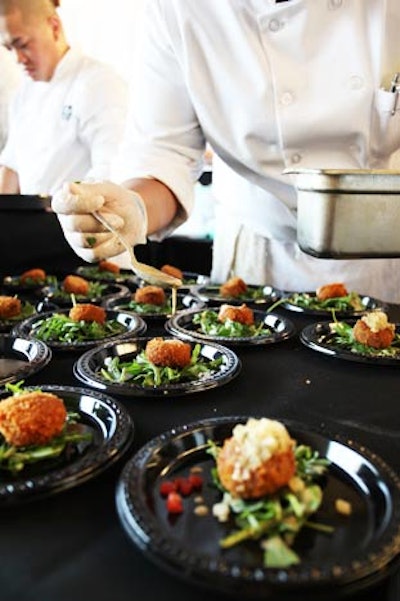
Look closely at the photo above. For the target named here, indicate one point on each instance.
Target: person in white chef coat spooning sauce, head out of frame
(270, 85)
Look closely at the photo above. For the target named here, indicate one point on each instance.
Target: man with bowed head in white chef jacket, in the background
(67, 117)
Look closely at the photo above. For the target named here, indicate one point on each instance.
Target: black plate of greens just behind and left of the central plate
(134, 325)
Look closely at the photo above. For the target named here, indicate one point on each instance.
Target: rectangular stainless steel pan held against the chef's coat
(353, 213)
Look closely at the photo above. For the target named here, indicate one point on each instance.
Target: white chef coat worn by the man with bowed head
(68, 128)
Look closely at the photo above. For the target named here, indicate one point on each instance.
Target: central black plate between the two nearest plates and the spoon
(87, 369)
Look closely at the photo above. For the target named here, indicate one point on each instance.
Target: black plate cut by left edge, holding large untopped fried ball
(112, 434)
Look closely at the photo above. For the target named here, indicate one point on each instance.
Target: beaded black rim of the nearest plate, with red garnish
(261, 578)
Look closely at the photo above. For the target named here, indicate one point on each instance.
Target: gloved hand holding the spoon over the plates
(122, 208)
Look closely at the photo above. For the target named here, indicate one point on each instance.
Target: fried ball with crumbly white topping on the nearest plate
(257, 460)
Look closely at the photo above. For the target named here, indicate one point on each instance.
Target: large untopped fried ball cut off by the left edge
(32, 418)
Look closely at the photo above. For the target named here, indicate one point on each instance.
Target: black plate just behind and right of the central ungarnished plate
(182, 325)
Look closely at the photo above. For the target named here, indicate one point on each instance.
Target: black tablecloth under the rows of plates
(72, 546)
